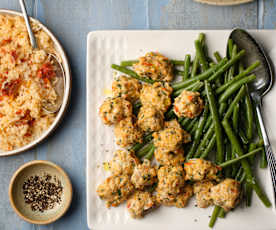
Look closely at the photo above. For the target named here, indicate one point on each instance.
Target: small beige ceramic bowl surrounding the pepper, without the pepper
(39, 168)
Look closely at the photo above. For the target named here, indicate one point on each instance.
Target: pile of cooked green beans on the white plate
(228, 127)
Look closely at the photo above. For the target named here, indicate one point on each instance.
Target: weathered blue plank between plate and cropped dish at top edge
(178, 14)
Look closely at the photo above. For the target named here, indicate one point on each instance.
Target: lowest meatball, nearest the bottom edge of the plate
(140, 203)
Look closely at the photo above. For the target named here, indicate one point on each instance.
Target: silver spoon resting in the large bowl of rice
(59, 82)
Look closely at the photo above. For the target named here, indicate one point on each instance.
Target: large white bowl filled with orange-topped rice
(26, 77)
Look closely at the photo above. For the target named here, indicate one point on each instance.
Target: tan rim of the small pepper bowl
(61, 171)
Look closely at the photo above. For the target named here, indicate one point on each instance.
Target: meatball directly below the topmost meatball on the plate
(157, 95)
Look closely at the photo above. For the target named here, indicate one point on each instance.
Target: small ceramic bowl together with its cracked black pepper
(40, 192)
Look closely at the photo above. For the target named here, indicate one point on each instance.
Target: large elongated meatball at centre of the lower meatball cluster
(170, 183)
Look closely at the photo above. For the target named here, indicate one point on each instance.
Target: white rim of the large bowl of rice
(67, 90)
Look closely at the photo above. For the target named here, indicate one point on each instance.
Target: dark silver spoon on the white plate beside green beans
(258, 88)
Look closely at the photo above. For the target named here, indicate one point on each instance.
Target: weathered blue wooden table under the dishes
(71, 20)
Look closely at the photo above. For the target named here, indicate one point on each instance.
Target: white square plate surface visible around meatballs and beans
(107, 47)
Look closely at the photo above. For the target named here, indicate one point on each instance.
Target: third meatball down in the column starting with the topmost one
(150, 119)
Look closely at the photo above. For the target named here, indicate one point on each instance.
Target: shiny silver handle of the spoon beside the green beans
(268, 150)
